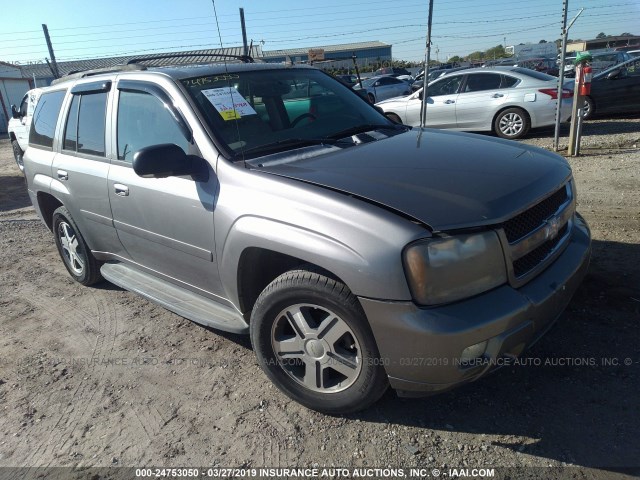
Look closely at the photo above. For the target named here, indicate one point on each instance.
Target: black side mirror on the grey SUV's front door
(167, 160)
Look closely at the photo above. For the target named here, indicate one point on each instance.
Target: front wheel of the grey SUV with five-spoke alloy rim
(312, 340)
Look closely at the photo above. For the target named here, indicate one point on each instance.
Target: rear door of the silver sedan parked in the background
(480, 98)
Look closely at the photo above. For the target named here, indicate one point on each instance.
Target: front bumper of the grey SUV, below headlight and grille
(420, 348)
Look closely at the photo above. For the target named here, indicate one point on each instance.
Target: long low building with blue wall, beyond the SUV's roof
(335, 56)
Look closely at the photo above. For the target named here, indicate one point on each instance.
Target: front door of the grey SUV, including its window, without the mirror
(164, 224)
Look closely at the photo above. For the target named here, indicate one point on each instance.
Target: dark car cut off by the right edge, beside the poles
(615, 90)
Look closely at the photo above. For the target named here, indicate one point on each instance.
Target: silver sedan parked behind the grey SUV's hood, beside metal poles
(506, 100)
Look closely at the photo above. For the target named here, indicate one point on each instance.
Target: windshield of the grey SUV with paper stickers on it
(282, 107)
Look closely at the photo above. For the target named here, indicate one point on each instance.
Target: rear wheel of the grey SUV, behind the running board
(76, 255)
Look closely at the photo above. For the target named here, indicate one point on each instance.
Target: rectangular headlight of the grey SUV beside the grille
(444, 270)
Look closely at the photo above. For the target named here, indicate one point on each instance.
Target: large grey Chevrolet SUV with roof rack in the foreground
(274, 201)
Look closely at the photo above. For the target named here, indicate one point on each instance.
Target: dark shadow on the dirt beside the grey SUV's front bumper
(580, 403)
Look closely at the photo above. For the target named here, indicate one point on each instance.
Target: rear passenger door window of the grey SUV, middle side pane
(84, 131)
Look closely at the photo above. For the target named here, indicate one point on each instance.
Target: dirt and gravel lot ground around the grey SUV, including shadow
(101, 377)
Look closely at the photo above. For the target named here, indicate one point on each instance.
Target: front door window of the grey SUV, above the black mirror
(144, 121)
